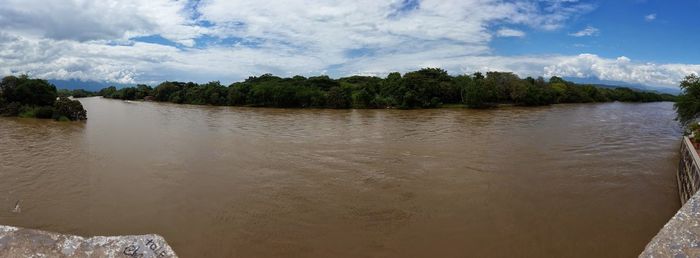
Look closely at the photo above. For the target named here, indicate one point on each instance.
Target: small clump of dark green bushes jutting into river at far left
(25, 97)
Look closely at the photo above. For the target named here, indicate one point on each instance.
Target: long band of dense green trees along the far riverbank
(425, 88)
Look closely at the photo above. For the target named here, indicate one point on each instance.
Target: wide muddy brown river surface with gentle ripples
(588, 180)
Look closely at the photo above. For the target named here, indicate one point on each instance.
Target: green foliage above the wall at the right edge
(688, 103)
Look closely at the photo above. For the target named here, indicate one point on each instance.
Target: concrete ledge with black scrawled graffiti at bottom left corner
(19, 242)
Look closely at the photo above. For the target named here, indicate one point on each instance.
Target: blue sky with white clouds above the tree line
(645, 42)
